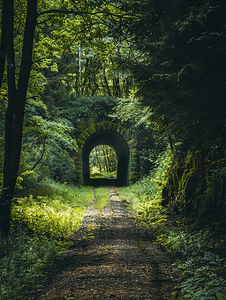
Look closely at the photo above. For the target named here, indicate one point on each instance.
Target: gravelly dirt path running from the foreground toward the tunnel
(117, 260)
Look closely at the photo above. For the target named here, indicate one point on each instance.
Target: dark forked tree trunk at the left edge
(15, 110)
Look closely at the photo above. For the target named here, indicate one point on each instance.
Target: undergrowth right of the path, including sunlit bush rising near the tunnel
(203, 269)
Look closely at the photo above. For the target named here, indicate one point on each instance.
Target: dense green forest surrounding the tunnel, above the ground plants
(160, 65)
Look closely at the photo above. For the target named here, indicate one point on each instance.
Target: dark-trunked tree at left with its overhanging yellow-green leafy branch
(90, 15)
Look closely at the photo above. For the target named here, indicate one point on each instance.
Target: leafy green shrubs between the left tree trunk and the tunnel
(48, 145)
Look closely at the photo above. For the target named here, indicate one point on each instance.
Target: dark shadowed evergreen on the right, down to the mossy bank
(180, 75)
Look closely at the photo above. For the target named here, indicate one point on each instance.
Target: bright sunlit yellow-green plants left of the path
(57, 211)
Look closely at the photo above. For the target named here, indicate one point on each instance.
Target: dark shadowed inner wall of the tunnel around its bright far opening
(121, 149)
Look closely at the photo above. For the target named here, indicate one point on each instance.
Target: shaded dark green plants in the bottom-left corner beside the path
(25, 262)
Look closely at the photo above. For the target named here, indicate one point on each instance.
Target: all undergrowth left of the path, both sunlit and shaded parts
(41, 224)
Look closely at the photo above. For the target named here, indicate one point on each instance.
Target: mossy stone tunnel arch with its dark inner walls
(112, 134)
